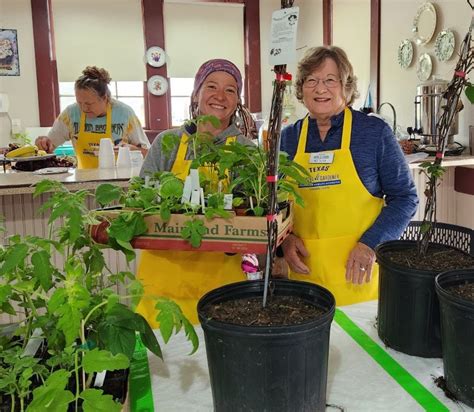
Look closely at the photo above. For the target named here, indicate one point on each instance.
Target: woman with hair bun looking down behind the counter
(94, 116)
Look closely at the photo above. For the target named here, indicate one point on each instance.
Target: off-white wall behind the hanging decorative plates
(398, 86)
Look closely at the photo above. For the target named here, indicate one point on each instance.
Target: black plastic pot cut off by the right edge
(457, 331)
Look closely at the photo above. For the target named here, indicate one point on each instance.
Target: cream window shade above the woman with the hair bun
(105, 33)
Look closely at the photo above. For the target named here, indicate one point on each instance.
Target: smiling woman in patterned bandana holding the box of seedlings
(186, 276)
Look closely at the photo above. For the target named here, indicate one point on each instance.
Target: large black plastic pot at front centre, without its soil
(268, 368)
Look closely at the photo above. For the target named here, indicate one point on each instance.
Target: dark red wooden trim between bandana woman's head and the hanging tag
(253, 82)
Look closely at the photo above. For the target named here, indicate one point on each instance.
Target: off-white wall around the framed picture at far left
(22, 90)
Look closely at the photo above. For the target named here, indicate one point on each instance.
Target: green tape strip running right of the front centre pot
(422, 395)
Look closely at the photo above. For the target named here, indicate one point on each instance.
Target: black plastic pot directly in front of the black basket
(408, 308)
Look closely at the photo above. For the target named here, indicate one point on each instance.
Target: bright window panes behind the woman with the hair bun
(130, 93)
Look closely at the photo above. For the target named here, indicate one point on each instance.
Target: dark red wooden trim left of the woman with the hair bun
(45, 57)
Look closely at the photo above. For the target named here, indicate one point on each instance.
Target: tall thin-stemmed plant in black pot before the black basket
(408, 310)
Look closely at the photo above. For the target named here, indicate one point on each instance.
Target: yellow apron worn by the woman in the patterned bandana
(183, 276)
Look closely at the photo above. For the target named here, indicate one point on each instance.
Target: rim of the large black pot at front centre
(258, 284)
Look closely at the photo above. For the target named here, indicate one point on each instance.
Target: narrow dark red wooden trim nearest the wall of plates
(375, 52)
